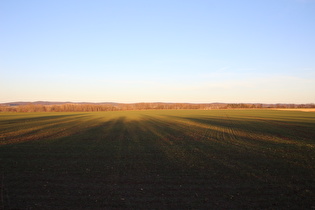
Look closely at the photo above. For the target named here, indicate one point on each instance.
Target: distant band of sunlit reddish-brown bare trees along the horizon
(96, 107)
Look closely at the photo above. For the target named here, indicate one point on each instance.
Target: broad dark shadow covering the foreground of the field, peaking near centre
(154, 163)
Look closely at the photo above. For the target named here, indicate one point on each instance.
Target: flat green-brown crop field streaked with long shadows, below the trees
(158, 159)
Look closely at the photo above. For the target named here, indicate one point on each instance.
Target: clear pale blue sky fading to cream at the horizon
(196, 51)
